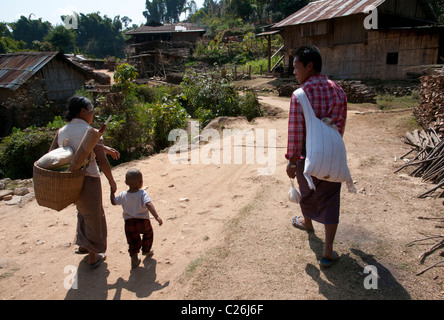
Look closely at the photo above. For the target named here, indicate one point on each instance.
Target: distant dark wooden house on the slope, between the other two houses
(154, 48)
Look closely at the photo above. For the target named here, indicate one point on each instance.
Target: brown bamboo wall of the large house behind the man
(363, 55)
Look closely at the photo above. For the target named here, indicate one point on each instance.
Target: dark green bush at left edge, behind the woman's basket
(21, 149)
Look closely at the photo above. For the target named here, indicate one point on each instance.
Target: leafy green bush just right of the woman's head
(141, 119)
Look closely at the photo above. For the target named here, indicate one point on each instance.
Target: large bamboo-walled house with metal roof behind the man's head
(366, 39)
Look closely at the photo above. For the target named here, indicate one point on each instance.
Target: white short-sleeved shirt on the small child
(134, 204)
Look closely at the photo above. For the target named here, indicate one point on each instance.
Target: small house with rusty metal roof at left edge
(29, 79)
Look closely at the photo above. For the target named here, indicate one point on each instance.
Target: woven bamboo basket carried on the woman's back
(57, 190)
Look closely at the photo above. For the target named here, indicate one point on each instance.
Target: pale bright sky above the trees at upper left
(52, 10)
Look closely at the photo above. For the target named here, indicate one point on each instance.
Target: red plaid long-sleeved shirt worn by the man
(328, 101)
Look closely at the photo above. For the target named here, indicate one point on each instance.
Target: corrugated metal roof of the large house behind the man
(327, 9)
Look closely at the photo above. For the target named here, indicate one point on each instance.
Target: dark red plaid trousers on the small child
(134, 228)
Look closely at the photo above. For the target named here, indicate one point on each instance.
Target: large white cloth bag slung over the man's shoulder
(326, 157)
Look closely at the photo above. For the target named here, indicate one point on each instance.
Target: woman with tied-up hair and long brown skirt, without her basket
(91, 234)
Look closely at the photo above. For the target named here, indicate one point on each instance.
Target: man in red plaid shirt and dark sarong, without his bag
(328, 101)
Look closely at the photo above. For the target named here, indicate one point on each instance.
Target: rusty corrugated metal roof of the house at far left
(17, 68)
